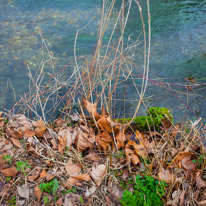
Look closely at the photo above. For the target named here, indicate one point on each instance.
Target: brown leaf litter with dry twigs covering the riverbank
(93, 163)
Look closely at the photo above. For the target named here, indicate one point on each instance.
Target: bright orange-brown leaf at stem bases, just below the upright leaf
(106, 124)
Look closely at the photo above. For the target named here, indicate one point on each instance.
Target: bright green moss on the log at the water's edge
(157, 117)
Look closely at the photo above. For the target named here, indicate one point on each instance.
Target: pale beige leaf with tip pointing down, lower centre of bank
(98, 173)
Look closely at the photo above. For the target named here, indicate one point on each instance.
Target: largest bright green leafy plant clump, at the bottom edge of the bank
(147, 192)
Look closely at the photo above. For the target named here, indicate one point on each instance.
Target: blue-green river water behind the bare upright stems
(178, 48)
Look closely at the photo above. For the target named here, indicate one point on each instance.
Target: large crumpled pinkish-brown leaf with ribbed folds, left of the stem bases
(84, 140)
